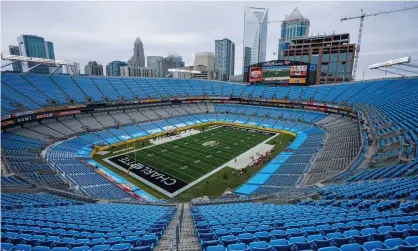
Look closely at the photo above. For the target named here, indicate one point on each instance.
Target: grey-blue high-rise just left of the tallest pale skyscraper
(224, 58)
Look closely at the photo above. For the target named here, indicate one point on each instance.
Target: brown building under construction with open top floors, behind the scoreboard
(333, 55)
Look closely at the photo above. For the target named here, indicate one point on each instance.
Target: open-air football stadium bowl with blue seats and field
(99, 163)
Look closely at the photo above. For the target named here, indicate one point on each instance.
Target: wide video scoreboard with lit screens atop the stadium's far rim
(280, 72)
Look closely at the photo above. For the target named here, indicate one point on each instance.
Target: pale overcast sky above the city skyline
(106, 31)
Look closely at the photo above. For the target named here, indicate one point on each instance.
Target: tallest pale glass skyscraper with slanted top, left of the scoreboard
(255, 35)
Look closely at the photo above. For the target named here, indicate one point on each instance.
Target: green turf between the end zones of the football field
(192, 157)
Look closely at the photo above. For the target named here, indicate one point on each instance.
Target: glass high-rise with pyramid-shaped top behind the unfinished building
(293, 26)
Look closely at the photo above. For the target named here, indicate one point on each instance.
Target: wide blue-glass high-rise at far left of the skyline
(34, 46)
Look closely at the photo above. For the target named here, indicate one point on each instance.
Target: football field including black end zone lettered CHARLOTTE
(177, 163)
